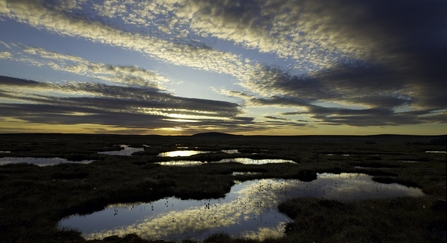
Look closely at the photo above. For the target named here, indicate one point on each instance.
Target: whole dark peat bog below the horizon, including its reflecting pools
(34, 199)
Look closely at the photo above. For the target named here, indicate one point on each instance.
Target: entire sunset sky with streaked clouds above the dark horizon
(266, 67)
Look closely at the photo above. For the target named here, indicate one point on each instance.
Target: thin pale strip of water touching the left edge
(39, 161)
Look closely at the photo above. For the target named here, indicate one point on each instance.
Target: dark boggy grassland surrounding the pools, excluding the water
(33, 199)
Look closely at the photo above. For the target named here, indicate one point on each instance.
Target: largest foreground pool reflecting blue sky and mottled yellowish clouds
(248, 210)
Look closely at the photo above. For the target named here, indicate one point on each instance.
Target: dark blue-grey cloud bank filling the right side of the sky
(398, 71)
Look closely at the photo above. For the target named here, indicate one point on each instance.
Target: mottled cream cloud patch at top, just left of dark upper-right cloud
(267, 26)
